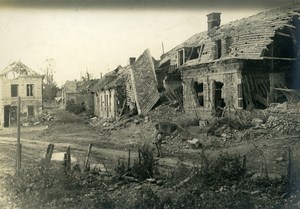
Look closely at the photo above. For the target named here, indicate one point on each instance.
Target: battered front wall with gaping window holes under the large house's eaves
(220, 88)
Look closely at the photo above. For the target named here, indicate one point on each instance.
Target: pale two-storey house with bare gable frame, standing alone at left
(17, 80)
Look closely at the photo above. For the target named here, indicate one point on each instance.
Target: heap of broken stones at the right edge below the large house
(282, 125)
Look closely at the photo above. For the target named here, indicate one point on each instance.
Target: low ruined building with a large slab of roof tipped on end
(127, 90)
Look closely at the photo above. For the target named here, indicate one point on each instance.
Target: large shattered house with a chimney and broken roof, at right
(240, 65)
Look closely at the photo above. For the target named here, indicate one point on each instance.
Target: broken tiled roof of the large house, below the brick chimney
(247, 38)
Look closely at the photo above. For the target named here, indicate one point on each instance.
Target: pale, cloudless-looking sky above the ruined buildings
(98, 39)
